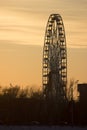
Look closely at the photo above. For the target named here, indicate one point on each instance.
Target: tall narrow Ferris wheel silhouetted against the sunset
(55, 58)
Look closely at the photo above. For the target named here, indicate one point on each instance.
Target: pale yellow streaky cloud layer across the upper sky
(28, 18)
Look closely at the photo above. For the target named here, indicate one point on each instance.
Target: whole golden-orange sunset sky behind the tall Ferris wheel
(22, 29)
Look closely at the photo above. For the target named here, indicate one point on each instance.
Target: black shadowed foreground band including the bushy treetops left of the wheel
(19, 108)
